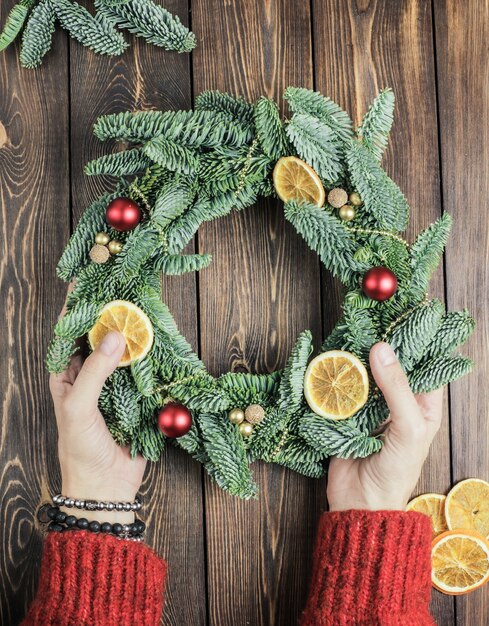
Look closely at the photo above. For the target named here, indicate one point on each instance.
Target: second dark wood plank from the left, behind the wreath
(147, 77)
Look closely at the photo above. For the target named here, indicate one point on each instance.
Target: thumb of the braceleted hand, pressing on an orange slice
(97, 368)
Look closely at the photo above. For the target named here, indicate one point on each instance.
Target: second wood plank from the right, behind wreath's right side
(360, 48)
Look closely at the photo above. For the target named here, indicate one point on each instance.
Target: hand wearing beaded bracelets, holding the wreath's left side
(93, 466)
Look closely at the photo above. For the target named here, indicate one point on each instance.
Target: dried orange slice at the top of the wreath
(296, 180)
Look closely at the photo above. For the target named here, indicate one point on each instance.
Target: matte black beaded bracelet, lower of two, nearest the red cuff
(59, 521)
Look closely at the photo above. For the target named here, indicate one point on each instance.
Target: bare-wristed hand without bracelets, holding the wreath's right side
(386, 480)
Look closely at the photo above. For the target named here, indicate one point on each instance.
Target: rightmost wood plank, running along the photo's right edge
(462, 31)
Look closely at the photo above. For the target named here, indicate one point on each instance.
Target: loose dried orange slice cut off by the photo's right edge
(467, 506)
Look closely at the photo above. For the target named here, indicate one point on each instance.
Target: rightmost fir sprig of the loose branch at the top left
(150, 21)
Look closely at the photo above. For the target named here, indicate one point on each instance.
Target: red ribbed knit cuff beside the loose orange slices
(371, 568)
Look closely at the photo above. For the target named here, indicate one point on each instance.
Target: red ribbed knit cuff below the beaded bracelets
(97, 579)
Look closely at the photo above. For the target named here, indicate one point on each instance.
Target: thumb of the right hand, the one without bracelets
(406, 417)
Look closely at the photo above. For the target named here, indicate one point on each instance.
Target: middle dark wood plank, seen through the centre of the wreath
(261, 290)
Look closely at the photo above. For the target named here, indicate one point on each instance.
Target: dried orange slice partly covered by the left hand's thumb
(132, 322)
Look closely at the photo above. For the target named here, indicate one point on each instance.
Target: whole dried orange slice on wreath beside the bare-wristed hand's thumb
(336, 384)
